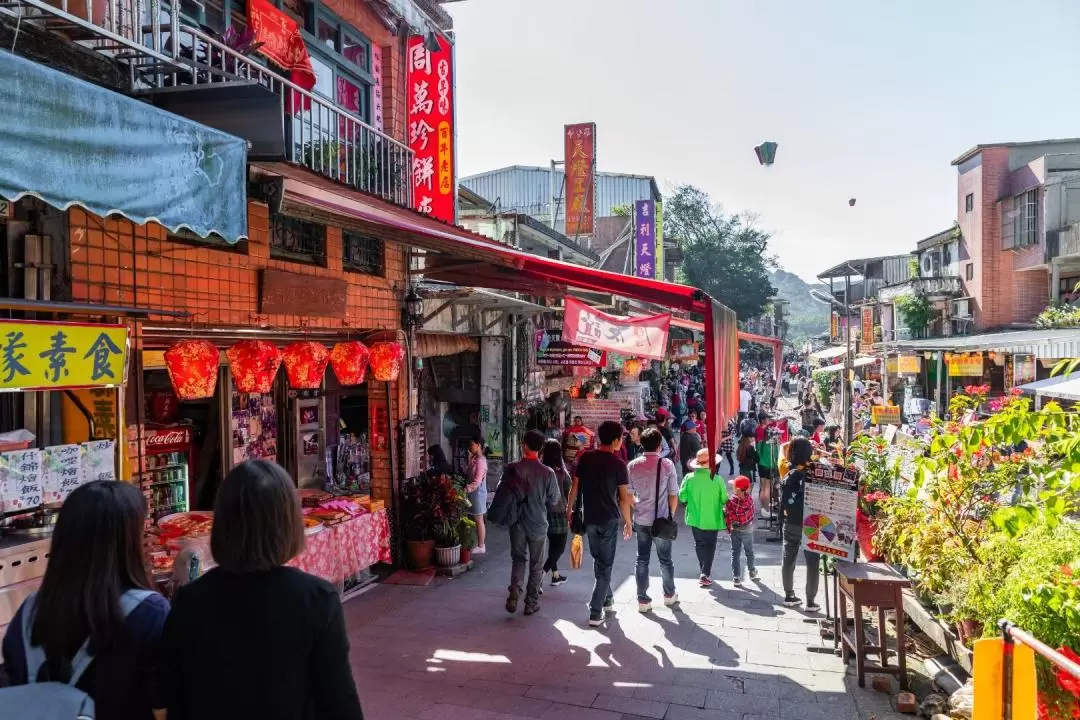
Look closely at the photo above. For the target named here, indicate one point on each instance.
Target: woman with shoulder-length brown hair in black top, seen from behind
(253, 639)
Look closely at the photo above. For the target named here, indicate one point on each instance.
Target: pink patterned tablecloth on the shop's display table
(346, 549)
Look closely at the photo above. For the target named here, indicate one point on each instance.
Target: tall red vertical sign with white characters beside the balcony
(431, 128)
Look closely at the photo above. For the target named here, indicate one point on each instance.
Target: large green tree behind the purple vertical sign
(724, 255)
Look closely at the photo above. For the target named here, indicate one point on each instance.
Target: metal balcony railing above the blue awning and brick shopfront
(319, 134)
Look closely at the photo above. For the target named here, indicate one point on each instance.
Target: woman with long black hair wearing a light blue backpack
(96, 623)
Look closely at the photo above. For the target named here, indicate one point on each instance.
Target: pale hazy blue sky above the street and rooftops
(868, 99)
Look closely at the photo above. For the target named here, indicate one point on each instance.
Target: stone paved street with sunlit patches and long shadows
(450, 651)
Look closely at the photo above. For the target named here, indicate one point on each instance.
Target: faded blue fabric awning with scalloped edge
(72, 143)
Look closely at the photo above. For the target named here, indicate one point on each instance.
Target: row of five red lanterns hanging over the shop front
(193, 365)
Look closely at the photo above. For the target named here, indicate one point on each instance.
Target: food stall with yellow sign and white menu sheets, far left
(60, 411)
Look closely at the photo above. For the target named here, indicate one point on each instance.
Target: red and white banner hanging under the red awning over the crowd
(644, 337)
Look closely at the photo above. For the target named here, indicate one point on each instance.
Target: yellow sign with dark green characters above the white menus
(59, 356)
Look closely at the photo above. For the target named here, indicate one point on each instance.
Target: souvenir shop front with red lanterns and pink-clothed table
(241, 407)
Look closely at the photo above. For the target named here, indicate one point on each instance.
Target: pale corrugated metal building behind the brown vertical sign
(528, 189)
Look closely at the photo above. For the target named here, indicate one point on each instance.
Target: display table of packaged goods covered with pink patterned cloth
(345, 536)
